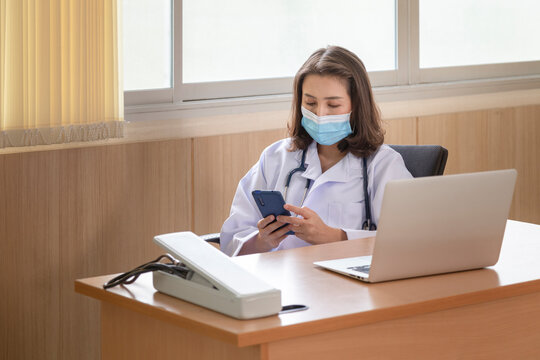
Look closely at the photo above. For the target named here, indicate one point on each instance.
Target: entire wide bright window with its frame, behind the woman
(179, 51)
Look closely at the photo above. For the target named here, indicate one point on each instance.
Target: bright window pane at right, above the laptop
(477, 39)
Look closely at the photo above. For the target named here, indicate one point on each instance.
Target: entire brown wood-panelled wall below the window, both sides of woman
(74, 213)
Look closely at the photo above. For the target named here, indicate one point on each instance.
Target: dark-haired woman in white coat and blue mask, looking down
(335, 126)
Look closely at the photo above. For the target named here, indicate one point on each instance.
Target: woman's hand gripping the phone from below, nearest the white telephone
(267, 238)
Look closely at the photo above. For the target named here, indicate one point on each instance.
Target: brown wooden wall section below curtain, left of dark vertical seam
(77, 213)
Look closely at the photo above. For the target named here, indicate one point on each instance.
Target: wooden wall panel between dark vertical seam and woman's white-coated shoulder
(219, 164)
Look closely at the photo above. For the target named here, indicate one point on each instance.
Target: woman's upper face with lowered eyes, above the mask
(325, 95)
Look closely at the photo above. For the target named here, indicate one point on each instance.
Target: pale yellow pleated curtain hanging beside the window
(60, 79)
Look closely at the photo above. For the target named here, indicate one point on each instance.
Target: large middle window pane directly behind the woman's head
(237, 48)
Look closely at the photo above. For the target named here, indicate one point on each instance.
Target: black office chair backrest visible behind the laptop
(423, 160)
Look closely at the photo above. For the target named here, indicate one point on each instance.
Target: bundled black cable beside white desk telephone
(174, 267)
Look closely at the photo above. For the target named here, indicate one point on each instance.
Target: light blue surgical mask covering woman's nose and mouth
(326, 130)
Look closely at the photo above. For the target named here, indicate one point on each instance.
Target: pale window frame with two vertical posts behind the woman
(407, 77)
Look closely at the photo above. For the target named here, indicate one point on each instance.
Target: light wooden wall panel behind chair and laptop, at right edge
(491, 140)
